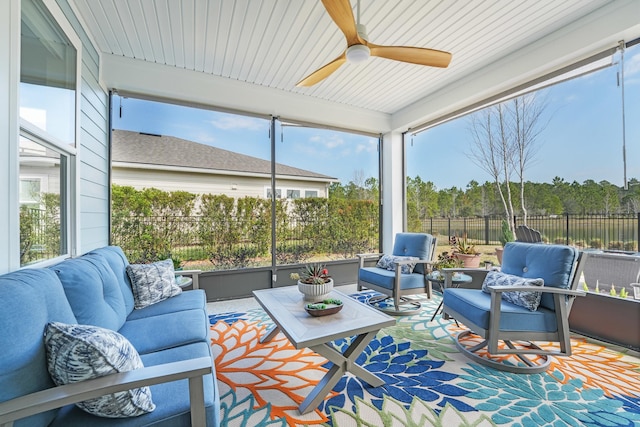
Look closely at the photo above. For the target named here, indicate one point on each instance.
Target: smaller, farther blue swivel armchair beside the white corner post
(399, 274)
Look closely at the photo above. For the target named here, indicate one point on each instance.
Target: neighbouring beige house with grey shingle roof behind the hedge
(142, 160)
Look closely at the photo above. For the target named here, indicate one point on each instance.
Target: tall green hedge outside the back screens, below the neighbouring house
(233, 233)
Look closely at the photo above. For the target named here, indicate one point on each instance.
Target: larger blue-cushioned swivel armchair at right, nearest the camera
(528, 300)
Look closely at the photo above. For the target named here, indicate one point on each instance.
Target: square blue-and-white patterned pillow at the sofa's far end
(152, 283)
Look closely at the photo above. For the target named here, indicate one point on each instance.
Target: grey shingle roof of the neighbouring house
(135, 147)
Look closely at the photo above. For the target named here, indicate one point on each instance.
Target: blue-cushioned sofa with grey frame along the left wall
(94, 289)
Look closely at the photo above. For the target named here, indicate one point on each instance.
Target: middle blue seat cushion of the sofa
(164, 331)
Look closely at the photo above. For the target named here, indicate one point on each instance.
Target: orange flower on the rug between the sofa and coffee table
(275, 372)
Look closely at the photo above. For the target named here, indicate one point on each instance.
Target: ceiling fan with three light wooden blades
(359, 49)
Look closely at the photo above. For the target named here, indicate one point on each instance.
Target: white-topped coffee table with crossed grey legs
(285, 306)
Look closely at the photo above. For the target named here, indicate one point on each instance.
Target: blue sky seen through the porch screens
(583, 138)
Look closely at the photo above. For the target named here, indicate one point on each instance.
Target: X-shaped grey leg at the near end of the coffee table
(342, 362)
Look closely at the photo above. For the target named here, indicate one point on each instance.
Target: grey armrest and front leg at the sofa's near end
(57, 397)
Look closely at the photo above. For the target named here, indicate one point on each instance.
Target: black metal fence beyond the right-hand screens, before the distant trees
(612, 232)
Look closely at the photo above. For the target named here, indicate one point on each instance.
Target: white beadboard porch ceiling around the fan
(275, 43)
